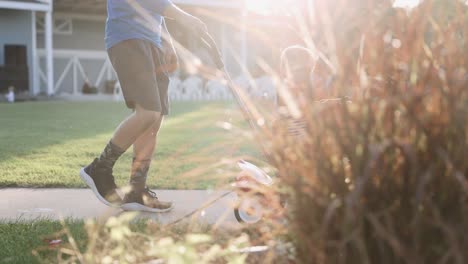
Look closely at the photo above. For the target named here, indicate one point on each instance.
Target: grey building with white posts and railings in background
(64, 39)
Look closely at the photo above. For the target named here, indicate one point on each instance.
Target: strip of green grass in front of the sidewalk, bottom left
(28, 241)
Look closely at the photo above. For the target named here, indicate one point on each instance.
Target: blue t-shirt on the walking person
(134, 19)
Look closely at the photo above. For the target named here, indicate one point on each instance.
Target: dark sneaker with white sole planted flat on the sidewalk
(146, 201)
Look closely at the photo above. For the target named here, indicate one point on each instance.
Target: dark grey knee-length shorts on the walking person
(136, 62)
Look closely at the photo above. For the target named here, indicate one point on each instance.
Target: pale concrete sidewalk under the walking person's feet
(30, 204)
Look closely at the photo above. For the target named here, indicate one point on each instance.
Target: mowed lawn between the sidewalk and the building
(44, 144)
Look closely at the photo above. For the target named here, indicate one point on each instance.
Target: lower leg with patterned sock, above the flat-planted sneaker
(143, 149)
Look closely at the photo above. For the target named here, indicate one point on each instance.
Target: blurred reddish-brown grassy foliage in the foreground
(381, 178)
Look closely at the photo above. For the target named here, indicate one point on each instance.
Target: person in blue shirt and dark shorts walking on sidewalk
(137, 49)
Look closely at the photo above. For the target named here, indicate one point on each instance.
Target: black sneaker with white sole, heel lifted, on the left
(102, 182)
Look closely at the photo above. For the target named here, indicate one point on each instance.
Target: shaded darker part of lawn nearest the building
(29, 127)
